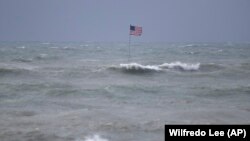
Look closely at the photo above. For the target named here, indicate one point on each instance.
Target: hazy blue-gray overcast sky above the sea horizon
(108, 20)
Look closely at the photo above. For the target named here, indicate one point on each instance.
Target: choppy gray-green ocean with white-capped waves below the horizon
(93, 91)
